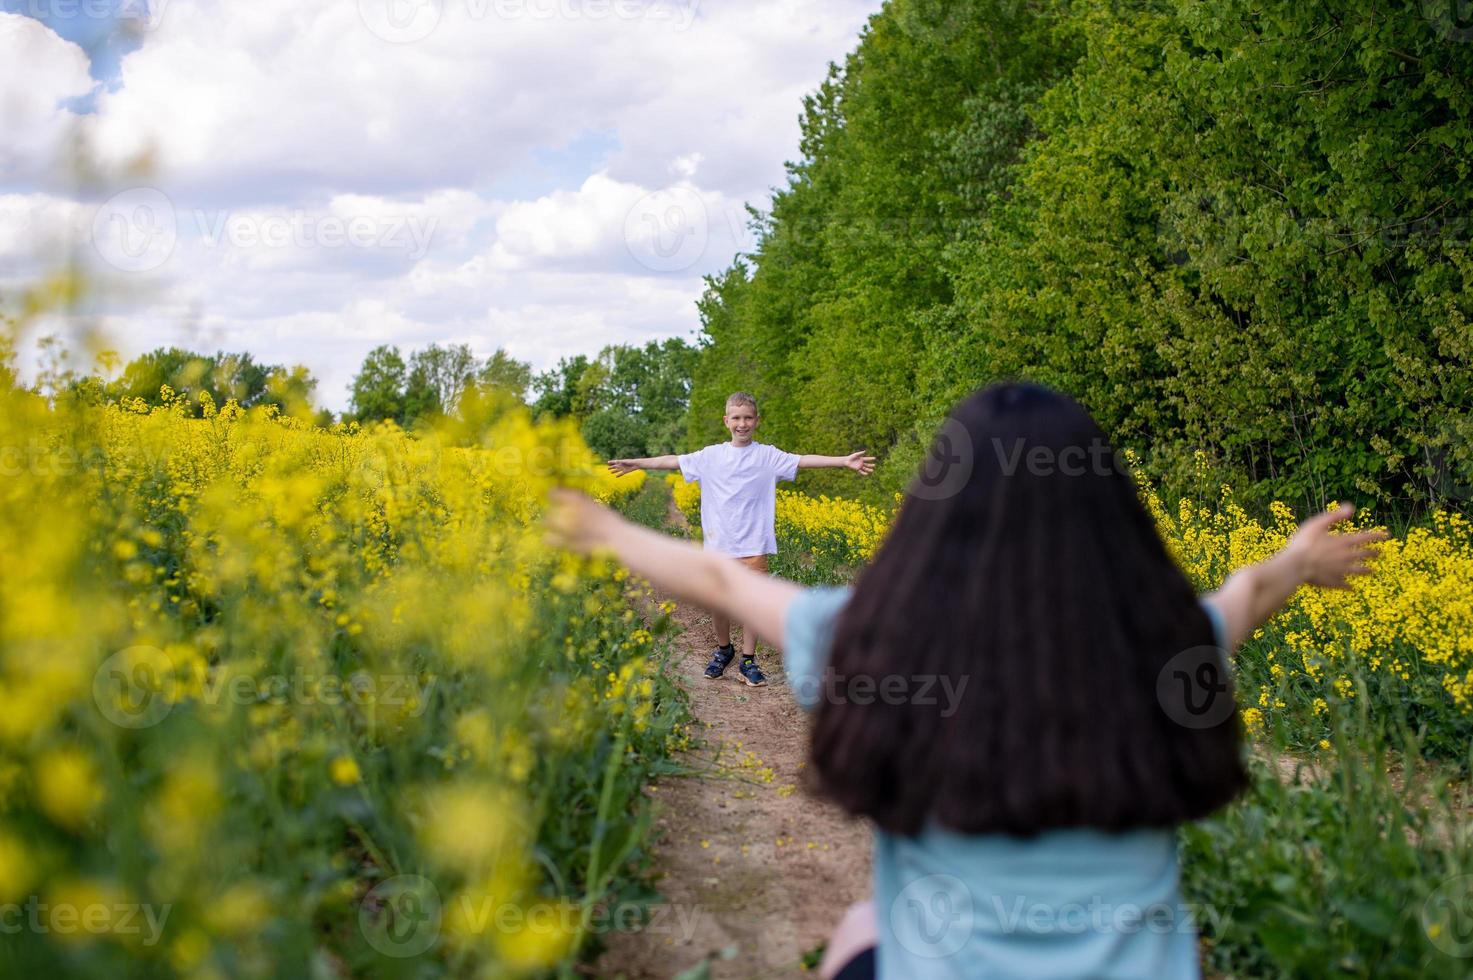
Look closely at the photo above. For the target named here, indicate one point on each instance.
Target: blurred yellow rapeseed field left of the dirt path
(278, 701)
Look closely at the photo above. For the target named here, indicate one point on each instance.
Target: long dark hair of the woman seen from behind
(1042, 580)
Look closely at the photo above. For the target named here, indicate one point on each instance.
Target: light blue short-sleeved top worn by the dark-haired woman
(1064, 904)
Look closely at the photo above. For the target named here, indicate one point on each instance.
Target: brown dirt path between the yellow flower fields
(755, 872)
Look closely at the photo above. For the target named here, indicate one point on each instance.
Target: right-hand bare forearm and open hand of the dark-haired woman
(1313, 556)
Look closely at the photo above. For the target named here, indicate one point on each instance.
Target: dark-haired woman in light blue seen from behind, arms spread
(1023, 693)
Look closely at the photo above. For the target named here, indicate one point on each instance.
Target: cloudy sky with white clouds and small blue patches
(309, 179)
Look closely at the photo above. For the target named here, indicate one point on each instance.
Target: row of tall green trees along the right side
(1241, 229)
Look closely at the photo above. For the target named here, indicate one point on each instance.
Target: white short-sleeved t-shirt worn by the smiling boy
(740, 494)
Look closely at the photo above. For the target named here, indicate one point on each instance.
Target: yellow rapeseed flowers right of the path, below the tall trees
(1405, 636)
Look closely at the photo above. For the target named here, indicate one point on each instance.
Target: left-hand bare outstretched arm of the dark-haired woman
(721, 584)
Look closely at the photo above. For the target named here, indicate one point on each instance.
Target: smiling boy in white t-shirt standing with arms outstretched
(739, 503)
